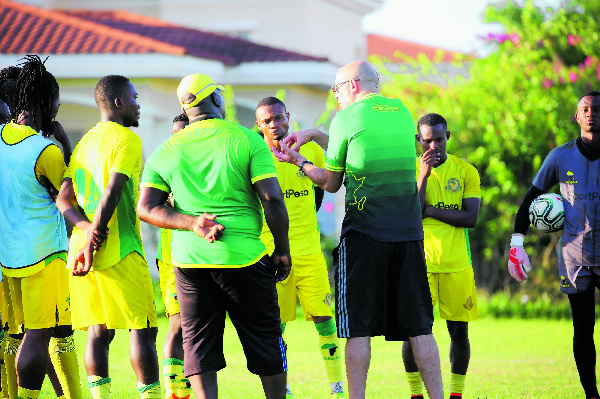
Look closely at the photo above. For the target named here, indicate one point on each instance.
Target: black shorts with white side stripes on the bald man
(381, 288)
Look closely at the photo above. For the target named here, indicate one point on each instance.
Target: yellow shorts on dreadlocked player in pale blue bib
(40, 300)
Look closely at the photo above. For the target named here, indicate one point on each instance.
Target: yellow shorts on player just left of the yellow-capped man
(120, 296)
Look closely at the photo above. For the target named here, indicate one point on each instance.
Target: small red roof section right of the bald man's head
(388, 47)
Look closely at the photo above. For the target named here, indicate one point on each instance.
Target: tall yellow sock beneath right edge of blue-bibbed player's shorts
(64, 360)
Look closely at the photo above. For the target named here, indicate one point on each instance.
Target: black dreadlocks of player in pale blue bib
(35, 87)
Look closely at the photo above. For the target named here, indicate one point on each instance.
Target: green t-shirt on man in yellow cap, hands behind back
(210, 166)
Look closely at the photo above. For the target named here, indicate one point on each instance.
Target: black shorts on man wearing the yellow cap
(249, 296)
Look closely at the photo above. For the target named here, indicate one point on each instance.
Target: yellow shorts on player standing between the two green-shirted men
(310, 279)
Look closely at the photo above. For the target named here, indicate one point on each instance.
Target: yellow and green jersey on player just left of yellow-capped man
(107, 148)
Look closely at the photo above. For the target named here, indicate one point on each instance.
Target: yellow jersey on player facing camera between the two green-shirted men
(299, 195)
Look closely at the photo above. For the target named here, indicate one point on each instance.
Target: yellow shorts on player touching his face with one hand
(456, 295)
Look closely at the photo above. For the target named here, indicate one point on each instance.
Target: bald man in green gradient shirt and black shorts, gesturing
(380, 271)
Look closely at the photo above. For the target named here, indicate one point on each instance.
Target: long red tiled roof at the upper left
(29, 29)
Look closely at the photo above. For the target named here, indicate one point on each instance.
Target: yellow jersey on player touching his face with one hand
(447, 247)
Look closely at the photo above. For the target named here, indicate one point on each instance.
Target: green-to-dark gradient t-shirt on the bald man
(373, 142)
